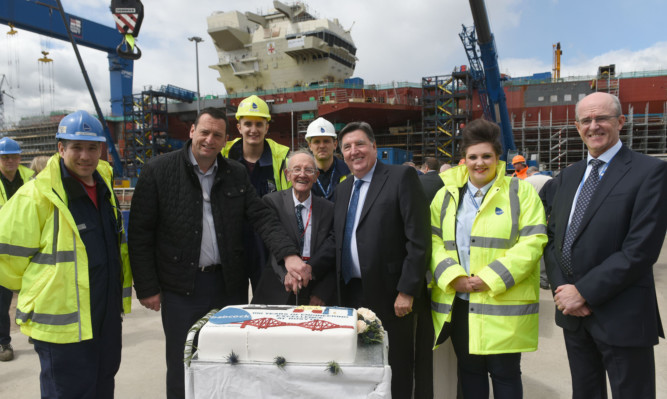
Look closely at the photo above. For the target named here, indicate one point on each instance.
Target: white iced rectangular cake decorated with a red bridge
(300, 334)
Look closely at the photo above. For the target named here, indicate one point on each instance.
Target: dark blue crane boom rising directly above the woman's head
(486, 73)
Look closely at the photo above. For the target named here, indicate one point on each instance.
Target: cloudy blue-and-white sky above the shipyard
(398, 41)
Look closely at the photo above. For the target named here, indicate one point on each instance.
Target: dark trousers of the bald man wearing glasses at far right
(631, 370)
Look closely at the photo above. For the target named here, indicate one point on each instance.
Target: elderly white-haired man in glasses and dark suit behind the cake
(308, 220)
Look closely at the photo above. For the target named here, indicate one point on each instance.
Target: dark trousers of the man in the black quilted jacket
(180, 312)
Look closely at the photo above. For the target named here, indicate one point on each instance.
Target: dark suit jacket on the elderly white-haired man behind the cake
(270, 289)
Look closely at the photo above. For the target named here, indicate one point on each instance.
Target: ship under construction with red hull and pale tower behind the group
(303, 67)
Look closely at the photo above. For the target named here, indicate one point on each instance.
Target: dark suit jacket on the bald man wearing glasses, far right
(618, 242)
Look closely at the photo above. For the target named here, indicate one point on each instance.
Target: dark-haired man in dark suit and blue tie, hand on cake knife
(382, 241)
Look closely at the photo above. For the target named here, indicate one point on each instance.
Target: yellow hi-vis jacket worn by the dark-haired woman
(508, 235)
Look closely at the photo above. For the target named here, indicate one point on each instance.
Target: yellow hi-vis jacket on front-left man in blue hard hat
(43, 256)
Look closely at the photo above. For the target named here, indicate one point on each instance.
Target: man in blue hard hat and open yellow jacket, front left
(62, 245)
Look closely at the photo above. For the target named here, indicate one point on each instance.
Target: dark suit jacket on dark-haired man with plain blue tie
(393, 237)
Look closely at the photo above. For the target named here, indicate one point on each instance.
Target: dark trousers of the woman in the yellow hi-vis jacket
(474, 370)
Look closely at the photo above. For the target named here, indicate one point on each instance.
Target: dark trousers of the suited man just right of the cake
(401, 342)
